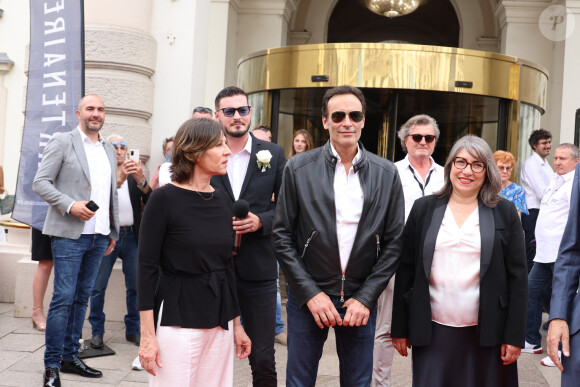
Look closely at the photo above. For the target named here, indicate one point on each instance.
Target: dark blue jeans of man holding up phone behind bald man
(126, 249)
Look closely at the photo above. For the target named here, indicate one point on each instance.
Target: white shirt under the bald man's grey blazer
(100, 172)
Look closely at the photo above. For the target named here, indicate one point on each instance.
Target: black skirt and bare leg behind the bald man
(42, 253)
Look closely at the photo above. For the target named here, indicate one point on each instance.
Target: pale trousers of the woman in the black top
(194, 357)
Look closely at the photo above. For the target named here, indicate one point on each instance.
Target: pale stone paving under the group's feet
(22, 349)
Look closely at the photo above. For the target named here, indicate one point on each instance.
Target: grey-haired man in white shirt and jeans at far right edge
(554, 210)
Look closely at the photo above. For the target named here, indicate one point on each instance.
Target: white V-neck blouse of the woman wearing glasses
(454, 281)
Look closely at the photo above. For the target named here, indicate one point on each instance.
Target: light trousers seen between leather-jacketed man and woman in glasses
(384, 350)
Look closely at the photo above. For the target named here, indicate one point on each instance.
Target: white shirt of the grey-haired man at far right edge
(552, 217)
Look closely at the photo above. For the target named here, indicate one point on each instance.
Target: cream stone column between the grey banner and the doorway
(120, 58)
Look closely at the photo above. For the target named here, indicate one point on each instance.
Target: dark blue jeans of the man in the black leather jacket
(354, 346)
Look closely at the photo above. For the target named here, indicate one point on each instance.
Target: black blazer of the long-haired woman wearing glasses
(503, 289)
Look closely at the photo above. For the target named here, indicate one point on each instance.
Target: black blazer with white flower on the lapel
(255, 260)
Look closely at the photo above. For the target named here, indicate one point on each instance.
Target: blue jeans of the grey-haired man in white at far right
(539, 280)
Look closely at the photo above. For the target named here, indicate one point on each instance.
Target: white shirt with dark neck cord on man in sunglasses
(414, 186)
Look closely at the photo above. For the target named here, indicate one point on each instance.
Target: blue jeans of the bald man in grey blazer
(76, 264)
